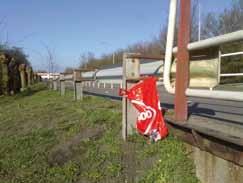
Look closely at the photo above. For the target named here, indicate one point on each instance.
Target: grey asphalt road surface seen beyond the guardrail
(208, 109)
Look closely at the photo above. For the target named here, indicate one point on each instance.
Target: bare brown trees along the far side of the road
(212, 24)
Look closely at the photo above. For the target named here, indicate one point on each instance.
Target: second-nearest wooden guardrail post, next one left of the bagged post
(78, 85)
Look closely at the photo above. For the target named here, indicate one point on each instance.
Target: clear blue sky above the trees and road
(69, 28)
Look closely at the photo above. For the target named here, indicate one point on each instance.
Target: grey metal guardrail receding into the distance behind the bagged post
(108, 76)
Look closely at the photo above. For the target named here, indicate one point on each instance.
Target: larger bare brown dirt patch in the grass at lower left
(62, 153)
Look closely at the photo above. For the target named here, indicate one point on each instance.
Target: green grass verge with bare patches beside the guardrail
(49, 138)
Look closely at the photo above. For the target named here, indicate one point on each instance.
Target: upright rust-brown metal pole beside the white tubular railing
(183, 63)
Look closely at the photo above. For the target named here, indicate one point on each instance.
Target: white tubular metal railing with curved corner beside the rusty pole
(211, 42)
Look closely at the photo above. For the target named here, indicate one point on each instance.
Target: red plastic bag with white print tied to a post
(144, 97)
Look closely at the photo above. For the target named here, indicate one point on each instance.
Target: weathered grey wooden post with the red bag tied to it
(131, 74)
